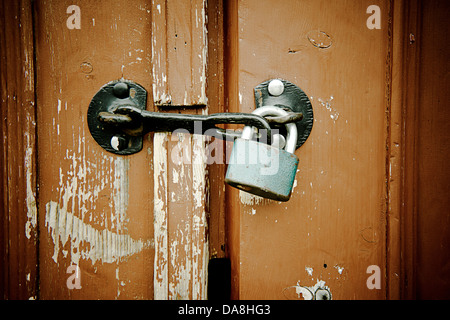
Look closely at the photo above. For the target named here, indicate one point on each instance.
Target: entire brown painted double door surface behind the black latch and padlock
(368, 217)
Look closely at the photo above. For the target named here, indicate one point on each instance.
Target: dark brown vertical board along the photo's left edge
(18, 214)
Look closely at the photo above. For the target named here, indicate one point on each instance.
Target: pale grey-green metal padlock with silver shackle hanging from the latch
(262, 169)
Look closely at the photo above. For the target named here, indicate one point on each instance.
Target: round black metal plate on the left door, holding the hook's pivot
(106, 100)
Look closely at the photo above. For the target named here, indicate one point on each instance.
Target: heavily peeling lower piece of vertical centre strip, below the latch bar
(181, 255)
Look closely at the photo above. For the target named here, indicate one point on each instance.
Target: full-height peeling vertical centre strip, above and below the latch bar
(179, 61)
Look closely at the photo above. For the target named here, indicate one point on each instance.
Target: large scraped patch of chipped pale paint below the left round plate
(77, 229)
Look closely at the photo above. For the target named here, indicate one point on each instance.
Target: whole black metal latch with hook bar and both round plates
(118, 121)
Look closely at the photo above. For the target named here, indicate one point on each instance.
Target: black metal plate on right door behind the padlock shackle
(292, 98)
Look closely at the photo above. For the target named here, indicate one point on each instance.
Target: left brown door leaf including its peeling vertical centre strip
(115, 227)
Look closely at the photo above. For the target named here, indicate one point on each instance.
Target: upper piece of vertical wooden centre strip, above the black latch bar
(179, 52)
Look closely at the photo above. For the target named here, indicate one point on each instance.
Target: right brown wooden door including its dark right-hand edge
(347, 220)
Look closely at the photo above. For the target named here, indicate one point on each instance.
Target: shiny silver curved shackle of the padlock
(291, 128)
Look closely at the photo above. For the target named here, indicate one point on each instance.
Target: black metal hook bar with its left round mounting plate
(117, 119)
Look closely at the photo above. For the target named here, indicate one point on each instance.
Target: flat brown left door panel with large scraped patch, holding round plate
(95, 208)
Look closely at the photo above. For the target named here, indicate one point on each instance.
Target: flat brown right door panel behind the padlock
(333, 228)
